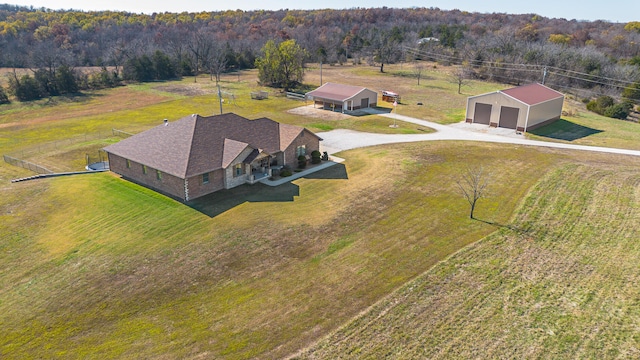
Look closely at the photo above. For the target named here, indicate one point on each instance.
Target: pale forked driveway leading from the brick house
(342, 139)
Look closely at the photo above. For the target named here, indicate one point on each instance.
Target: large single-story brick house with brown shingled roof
(197, 155)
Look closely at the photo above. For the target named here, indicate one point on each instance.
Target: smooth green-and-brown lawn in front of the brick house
(106, 268)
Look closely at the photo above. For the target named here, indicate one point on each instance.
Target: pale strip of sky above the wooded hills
(610, 10)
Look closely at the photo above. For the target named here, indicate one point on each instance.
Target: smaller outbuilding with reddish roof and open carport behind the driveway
(339, 97)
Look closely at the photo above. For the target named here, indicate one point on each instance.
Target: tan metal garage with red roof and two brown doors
(522, 108)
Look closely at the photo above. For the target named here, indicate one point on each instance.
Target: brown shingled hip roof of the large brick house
(195, 144)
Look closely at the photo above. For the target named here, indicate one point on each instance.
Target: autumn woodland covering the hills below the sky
(585, 58)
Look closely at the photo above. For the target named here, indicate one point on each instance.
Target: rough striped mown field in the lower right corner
(560, 280)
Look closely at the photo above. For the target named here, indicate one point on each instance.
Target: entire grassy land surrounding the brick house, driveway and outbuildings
(94, 266)
